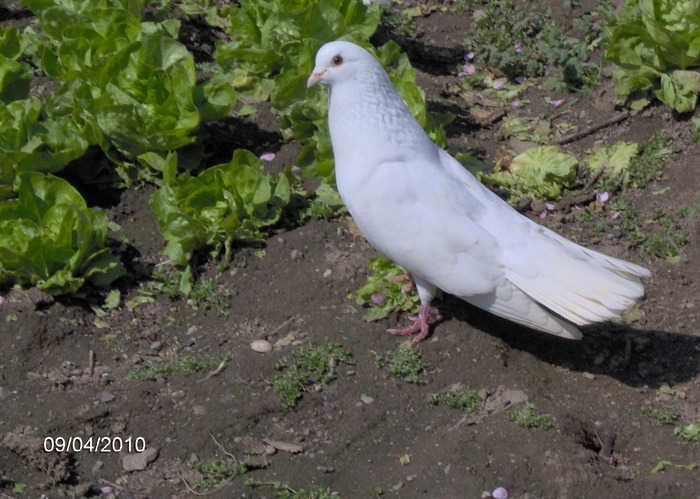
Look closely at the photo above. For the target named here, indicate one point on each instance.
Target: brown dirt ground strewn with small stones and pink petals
(63, 368)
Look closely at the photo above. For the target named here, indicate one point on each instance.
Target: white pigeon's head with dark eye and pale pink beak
(338, 61)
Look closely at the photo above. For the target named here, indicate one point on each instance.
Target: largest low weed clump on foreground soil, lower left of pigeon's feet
(307, 366)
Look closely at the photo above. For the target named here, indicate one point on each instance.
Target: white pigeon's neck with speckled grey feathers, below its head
(368, 120)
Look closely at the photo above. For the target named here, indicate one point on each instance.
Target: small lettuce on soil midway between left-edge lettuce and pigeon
(223, 204)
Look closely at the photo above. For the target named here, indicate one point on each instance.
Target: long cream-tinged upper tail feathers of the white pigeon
(584, 286)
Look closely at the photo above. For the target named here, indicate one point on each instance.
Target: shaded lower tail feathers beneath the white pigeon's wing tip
(511, 303)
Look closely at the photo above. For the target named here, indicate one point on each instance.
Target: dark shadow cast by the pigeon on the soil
(636, 357)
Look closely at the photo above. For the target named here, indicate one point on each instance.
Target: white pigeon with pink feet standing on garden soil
(422, 209)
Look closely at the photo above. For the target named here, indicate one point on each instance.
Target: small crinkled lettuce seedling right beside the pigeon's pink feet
(384, 293)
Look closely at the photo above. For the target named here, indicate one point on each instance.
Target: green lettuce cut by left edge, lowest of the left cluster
(49, 238)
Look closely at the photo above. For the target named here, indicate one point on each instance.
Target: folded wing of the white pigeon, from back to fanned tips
(581, 285)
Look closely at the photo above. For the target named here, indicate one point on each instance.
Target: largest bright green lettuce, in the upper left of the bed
(130, 86)
